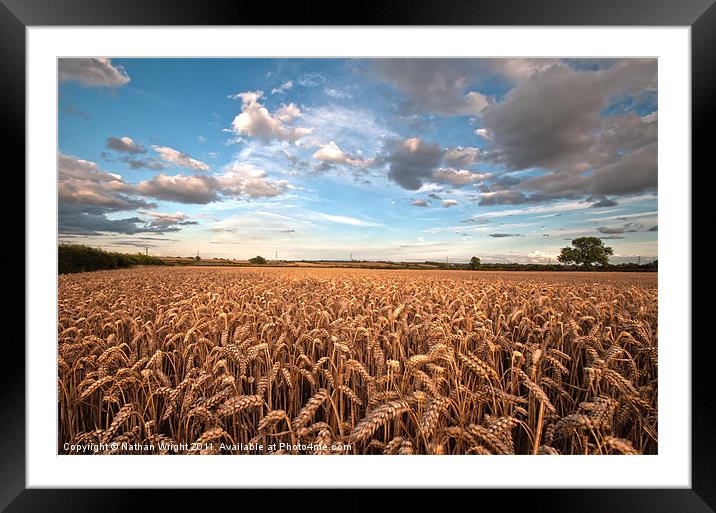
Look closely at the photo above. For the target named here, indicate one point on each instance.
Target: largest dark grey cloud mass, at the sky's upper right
(555, 120)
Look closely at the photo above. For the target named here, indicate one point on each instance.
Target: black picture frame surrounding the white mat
(17, 15)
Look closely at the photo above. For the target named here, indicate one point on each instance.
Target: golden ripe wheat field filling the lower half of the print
(347, 361)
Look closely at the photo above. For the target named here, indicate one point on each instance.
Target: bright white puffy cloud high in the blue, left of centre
(255, 120)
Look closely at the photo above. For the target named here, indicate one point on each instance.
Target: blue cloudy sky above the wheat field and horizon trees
(398, 159)
